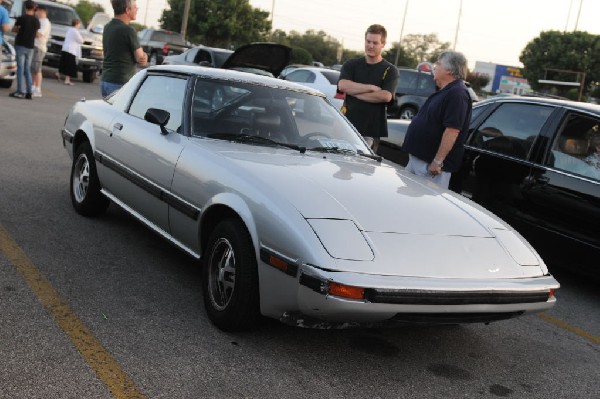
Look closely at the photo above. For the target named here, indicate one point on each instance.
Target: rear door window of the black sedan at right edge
(576, 149)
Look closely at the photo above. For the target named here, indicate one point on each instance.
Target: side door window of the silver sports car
(162, 92)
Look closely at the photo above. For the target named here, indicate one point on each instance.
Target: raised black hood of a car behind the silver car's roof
(270, 57)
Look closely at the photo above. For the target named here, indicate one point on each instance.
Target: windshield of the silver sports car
(236, 111)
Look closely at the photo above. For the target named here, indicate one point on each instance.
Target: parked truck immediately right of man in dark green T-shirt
(158, 44)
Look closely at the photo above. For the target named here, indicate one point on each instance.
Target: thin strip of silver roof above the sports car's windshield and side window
(238, 76)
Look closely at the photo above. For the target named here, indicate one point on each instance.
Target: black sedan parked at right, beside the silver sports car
(531, 162)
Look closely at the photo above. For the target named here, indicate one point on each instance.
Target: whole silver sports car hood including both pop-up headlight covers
(366, 211)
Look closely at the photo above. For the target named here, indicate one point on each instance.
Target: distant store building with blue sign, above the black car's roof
(503, 78)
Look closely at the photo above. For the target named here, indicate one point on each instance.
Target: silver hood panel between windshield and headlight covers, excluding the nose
(351, 188)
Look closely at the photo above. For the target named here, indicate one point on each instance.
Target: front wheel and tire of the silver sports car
(230, 277)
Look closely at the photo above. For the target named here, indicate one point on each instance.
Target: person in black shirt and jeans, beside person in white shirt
(26, 26)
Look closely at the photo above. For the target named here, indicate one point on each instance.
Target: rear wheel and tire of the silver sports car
(85, 186)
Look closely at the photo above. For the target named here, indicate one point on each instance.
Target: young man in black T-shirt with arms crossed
(369, 83)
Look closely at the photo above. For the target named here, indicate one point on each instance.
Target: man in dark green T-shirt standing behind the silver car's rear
(122, 50)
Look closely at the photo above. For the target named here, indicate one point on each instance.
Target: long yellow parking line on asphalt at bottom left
(97, 357)
